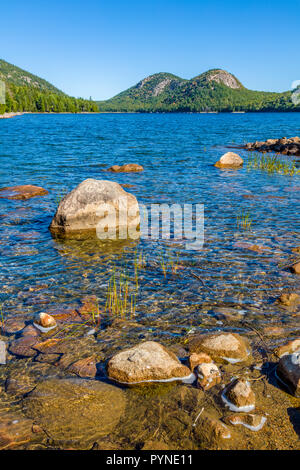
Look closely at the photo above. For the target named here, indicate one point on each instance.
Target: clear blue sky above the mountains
(101, 47)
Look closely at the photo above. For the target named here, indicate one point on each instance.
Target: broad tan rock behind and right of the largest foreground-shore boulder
(223, 347)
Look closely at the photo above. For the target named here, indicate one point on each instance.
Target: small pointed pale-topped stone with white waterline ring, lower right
(239, 396)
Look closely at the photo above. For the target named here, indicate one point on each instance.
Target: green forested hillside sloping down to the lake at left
(27, 92)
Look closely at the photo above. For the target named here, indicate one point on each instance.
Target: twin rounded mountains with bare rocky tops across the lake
(215, 90)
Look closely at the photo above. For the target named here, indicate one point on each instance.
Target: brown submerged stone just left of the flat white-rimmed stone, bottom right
(210, 429)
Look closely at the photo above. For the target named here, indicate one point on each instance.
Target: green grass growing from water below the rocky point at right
(272, 164)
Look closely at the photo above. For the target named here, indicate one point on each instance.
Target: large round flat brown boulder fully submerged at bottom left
(75, 412)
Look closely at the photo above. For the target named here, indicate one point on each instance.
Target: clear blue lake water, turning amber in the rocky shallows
(231, 284)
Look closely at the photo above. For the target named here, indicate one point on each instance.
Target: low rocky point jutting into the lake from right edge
(285, 146)
